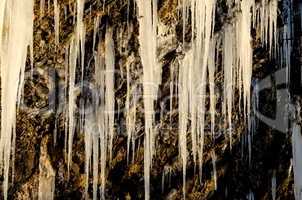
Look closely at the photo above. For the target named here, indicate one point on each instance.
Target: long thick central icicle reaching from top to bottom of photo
(147, 12)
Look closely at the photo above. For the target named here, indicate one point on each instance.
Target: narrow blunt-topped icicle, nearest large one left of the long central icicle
(109, 92)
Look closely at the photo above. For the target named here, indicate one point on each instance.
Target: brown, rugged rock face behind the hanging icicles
(244, 171)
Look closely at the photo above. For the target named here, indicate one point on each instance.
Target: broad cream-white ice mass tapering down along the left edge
(17, 16)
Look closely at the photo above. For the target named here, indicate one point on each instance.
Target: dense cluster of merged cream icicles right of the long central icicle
(192, 72)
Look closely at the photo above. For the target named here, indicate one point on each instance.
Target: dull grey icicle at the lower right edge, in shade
(297, 164)
